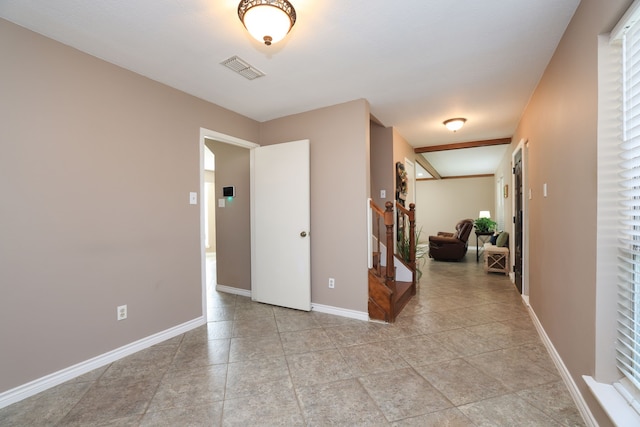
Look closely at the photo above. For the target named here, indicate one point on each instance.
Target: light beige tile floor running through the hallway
(464, 352)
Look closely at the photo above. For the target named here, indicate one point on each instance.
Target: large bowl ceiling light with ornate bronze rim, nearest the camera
(268, 21)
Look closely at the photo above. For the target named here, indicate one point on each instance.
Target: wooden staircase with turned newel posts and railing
(387, 294)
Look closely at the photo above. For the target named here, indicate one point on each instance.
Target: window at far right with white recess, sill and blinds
(615, 385)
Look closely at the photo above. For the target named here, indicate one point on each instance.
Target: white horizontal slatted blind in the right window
(628, 345)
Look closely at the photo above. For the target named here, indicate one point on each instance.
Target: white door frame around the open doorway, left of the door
(227, 139)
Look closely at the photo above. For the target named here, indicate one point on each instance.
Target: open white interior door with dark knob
(280, 222)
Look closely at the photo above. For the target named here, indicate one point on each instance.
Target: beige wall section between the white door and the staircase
(340, 180)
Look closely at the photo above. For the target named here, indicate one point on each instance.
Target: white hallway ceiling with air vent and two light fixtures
(417, 62)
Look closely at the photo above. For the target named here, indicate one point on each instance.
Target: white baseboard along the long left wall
(41, 384)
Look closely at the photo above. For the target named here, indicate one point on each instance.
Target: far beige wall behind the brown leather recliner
(444, 202)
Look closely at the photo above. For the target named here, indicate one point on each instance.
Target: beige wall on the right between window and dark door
(560, 124)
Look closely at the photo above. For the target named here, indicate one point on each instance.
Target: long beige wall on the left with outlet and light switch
(96, 168)
